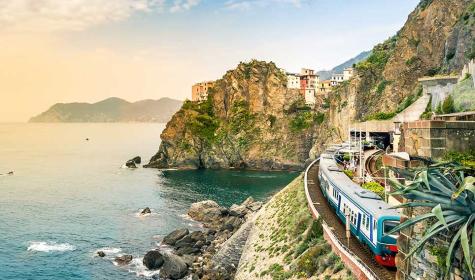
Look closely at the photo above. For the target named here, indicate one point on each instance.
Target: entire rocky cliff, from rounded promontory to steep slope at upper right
(252, 120)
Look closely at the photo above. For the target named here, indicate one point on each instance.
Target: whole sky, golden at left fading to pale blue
(87, 50)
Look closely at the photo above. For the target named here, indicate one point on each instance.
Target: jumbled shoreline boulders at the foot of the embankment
(212, 253)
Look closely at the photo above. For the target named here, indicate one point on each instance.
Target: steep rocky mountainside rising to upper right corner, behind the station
(437, 38)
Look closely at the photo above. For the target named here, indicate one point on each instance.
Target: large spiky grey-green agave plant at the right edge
(450, 192)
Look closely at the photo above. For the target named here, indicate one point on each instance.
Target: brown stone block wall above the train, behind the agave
(434, 138)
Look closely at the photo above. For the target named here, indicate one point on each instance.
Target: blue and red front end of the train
(387, 243)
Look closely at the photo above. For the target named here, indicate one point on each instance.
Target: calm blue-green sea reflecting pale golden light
(70, 197)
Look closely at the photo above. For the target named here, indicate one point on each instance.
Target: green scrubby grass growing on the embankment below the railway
(294, 237)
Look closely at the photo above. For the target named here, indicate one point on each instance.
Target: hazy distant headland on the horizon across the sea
(111, 110)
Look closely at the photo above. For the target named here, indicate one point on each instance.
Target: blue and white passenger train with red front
(370, 218)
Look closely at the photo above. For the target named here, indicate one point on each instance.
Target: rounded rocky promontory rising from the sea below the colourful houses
(250, 120)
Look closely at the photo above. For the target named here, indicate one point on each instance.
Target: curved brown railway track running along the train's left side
(338, 228)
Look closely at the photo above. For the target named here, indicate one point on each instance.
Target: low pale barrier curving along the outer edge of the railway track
(364, 272)
